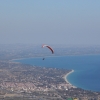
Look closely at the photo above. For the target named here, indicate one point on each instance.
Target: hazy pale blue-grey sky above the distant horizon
(50, 21)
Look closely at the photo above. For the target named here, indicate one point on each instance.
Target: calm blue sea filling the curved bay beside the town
(86, 68)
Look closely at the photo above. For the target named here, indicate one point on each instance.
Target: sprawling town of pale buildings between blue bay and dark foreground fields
(31, 78)
